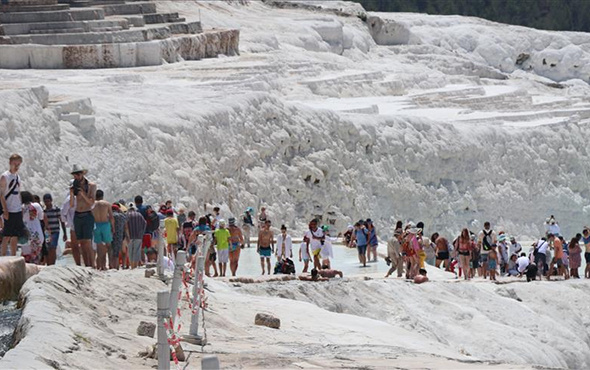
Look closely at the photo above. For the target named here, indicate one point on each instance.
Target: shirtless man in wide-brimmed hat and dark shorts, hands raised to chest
(82, 197)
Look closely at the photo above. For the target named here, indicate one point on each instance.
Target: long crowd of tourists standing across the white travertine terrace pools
(113, 235)
